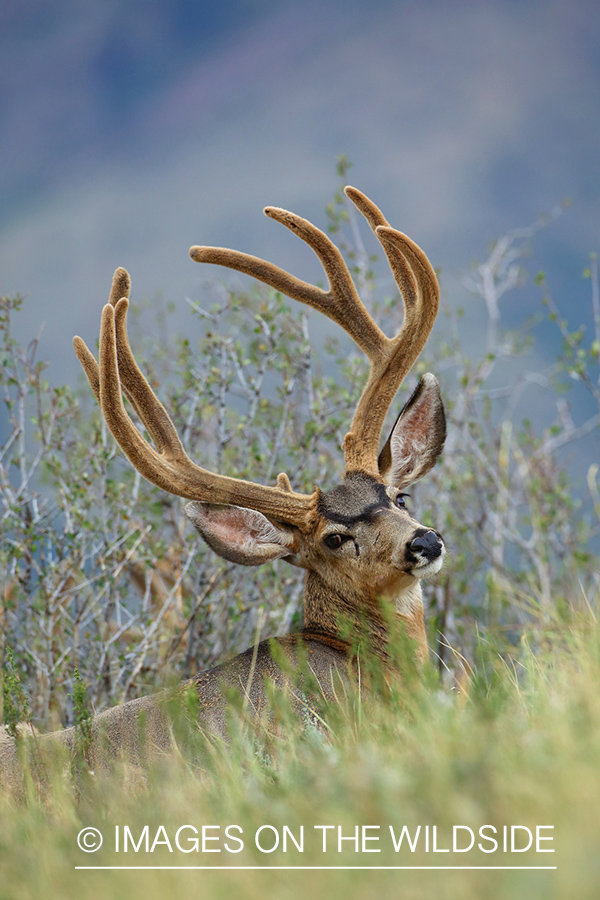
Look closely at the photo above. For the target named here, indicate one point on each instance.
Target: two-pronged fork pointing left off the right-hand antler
(340, 303)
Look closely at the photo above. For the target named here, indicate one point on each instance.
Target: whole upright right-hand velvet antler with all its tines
(391, 358)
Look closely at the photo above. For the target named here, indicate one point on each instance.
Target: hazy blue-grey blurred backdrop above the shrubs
(130, 131)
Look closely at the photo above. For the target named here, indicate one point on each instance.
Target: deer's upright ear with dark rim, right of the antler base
(417, 438)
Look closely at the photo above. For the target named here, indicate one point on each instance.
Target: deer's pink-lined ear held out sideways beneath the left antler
(241, 535)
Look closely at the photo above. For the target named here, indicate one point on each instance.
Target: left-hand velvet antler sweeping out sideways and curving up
(169, 467)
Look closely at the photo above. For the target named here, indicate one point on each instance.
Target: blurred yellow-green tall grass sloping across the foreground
(517, 745)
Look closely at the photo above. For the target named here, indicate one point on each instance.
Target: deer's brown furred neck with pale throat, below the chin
(338, 617)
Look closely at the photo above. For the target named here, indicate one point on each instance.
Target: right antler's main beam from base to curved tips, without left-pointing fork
(419, 288)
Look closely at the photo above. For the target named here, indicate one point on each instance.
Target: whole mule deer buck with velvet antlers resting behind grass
(357, 542)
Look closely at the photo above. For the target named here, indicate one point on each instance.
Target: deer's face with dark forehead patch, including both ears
(364, 540)
